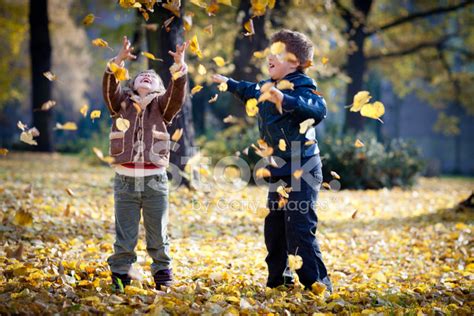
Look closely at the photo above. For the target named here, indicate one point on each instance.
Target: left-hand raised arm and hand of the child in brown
(111, 89)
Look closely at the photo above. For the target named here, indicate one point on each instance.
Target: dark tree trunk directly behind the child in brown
(159, 43)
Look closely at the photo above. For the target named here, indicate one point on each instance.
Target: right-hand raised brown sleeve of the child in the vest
(173, 99)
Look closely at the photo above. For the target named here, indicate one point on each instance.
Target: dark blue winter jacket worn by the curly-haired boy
(298, 105)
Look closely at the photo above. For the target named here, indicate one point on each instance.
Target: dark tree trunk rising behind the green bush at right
(356, 63)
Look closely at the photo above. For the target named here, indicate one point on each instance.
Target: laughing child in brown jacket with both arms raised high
(139, 144)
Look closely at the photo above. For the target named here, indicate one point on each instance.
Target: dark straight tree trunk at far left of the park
(40, 52)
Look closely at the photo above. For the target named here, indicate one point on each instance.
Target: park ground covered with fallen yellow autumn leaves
(405, 251)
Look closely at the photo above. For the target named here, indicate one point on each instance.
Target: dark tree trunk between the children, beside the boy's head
(244, 47)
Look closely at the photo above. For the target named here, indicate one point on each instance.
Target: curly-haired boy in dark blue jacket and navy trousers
(290, 228)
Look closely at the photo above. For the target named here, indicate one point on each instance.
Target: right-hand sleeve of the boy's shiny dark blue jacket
(306, 105)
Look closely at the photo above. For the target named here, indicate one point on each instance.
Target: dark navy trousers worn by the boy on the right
(292, 230)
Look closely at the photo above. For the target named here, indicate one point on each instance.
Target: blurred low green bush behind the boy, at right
(372, 166)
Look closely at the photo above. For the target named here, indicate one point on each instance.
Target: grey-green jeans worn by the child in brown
(131, 195)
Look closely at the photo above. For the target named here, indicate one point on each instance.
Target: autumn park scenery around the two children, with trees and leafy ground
(415, 57)
